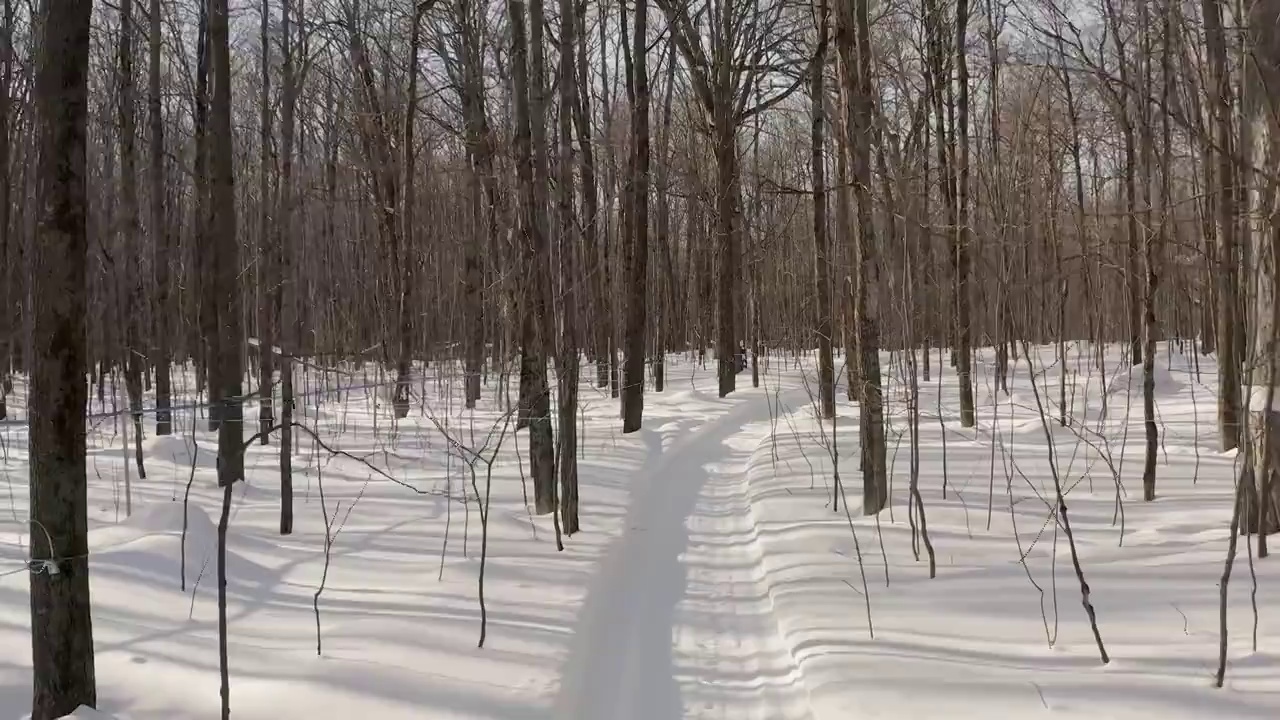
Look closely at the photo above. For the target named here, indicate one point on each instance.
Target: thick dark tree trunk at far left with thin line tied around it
(62, 628)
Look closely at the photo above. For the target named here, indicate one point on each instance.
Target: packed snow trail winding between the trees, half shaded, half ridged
(679, 622)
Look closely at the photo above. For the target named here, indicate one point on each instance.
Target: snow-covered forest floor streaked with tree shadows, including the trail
(714, 576)
